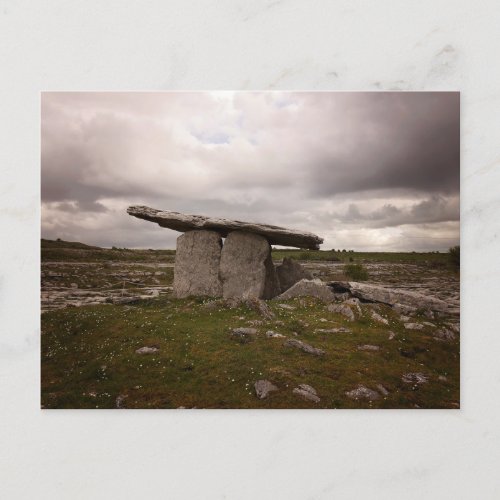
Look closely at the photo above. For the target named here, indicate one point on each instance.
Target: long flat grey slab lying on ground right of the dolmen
(390, 296)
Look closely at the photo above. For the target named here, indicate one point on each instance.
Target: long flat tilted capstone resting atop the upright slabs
(275, 235)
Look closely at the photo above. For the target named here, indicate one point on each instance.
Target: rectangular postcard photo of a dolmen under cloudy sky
(250, 250)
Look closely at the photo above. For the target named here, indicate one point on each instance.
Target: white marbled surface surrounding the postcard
(255, 44)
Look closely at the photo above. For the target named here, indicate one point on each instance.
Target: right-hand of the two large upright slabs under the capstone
(246, 267)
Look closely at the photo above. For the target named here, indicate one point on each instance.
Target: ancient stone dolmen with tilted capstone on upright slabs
(238, 267)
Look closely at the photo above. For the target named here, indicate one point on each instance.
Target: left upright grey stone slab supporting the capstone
(197, 259)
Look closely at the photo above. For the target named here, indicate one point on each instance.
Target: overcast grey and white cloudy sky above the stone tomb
(365, 171)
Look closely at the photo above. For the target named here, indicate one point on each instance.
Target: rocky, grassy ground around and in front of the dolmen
(113, 337)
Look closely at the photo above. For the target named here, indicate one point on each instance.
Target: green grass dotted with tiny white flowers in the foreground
(89, 359)
